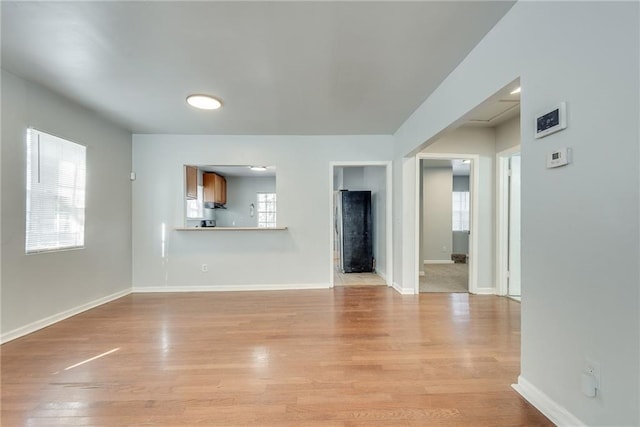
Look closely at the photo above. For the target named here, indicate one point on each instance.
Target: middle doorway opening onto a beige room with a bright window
(446, 213)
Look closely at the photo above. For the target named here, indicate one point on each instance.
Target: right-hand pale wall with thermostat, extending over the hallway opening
(573, 305)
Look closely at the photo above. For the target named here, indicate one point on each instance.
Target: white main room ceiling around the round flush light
(279, 67)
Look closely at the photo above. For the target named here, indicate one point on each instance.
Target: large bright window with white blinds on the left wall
(56, 170)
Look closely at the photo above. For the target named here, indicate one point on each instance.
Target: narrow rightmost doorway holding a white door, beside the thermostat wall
(509, 230)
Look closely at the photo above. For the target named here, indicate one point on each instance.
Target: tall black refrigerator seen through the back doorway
(354, 228)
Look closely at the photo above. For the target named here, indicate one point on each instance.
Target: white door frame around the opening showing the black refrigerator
(388, 212)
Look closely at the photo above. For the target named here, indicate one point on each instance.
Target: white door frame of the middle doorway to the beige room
(474, 183)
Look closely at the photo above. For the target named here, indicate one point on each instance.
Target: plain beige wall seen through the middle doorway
(437, 183)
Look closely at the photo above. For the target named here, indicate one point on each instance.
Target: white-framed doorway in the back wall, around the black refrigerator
(373, 177)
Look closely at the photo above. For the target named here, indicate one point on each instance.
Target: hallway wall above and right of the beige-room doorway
(480, 141)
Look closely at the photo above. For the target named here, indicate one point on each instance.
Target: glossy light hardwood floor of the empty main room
(351, 356)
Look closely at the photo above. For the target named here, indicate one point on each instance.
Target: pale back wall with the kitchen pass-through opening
(297, 257)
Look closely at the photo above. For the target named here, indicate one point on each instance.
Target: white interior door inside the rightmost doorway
(514, 287)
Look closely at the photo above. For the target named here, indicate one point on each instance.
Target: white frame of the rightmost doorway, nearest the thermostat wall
(502, 218)
